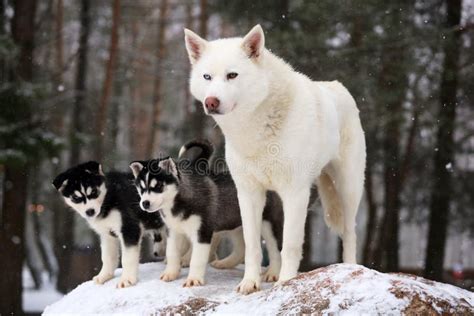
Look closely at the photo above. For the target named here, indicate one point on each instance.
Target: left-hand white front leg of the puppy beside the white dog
(173, 256)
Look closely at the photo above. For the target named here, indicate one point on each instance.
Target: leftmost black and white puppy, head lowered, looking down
(109, 204)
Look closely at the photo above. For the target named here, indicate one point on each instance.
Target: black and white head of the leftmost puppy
(83, 188)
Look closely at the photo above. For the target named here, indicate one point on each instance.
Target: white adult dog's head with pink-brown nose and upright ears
(228, 74)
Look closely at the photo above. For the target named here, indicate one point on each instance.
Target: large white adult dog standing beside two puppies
(283, 132)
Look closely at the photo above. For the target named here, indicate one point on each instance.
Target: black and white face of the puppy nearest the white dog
(157, 183)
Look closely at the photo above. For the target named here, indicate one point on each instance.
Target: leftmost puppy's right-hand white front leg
(130, 261)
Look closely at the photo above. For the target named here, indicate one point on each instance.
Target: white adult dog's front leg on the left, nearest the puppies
(251, 202)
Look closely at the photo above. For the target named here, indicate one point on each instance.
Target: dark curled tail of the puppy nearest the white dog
(198, 159)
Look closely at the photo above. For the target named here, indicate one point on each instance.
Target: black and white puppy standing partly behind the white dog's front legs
(196, 205)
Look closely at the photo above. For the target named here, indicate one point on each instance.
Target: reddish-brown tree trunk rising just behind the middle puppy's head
(160, 54)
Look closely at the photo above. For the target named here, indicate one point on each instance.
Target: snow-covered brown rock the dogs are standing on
(339, 288)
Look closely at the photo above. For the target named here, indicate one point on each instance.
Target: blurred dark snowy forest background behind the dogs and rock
(108, 80)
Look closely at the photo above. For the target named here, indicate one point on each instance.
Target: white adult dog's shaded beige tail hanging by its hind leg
(333, 213)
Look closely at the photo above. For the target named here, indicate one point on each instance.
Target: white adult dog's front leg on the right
(295, 208)
